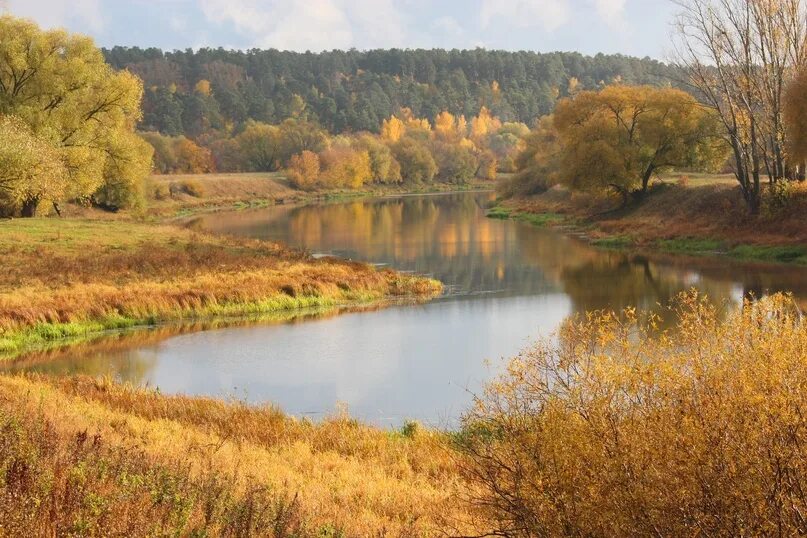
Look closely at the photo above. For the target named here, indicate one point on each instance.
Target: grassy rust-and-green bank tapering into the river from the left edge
(73, 278)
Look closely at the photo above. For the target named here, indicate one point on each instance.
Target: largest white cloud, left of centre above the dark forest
(313, 24)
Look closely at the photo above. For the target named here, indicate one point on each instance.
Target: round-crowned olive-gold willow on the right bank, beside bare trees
(622, 136)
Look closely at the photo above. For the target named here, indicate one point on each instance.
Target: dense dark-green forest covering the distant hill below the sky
(190, 92)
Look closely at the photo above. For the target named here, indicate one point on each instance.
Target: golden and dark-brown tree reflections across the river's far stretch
(447, 236)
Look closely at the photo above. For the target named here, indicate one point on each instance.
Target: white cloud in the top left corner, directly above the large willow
(55, 14)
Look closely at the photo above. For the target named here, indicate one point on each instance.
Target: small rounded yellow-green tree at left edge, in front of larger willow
(31, 169)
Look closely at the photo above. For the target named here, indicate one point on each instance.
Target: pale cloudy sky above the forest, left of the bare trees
(635, 27)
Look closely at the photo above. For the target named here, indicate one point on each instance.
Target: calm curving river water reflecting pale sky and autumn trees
(507, 284)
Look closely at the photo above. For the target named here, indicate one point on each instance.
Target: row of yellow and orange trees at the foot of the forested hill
(407, 149)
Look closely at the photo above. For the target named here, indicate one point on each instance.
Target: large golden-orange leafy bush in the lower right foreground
(622, 428)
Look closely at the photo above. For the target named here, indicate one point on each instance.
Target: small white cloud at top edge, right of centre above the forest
(548, 14)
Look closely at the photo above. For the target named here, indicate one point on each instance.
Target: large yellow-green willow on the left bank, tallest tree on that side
(60, 86)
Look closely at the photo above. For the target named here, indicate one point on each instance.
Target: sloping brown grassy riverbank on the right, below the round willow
(705, 218)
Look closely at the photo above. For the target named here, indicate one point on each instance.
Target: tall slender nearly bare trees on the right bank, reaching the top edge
(739, 55)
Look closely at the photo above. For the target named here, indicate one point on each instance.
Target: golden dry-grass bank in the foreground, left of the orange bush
(94, 458)
